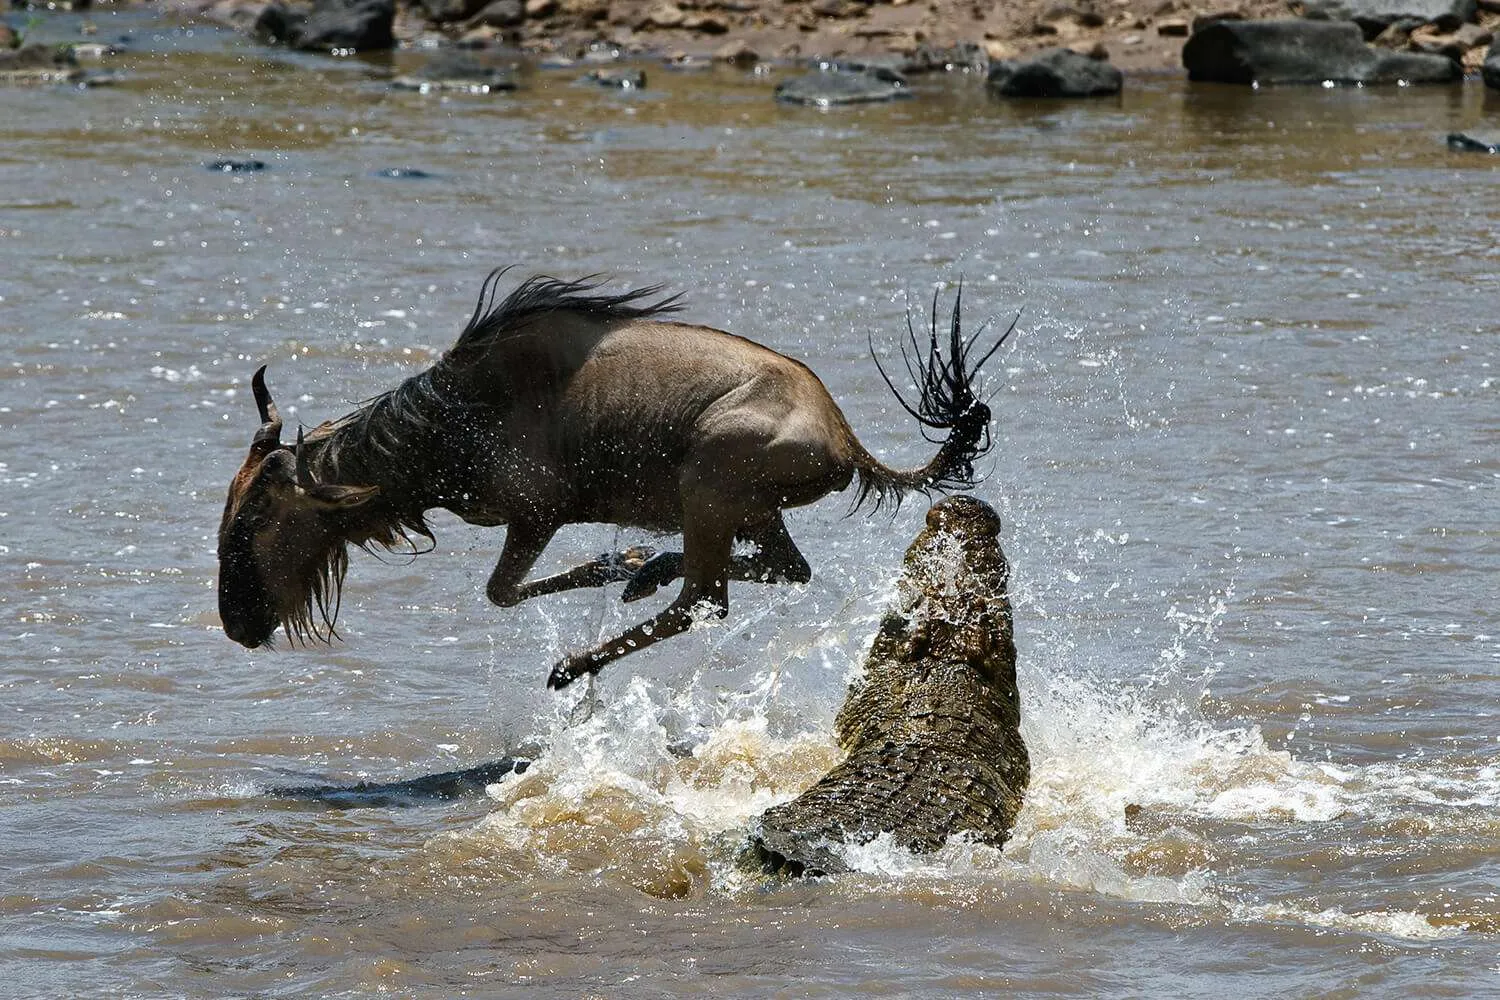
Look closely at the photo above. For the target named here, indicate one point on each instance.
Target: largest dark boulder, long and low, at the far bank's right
(1303, 52)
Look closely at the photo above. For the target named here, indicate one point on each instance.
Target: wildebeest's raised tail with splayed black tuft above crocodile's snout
(947, 409)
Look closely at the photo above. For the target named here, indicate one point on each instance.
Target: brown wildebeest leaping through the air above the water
(562, 406)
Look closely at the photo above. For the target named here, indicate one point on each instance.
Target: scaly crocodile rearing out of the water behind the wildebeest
(934, 728)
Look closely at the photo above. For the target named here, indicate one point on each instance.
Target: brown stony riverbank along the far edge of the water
(1133, 35)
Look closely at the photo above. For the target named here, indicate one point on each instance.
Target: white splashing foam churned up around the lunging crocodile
(616, 795)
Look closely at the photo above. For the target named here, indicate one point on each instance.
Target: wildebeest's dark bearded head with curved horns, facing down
(283, 542)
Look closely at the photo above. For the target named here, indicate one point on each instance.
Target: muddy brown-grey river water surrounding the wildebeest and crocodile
(1246, 455)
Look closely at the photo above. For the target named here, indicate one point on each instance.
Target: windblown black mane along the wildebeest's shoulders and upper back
(542, 295)
